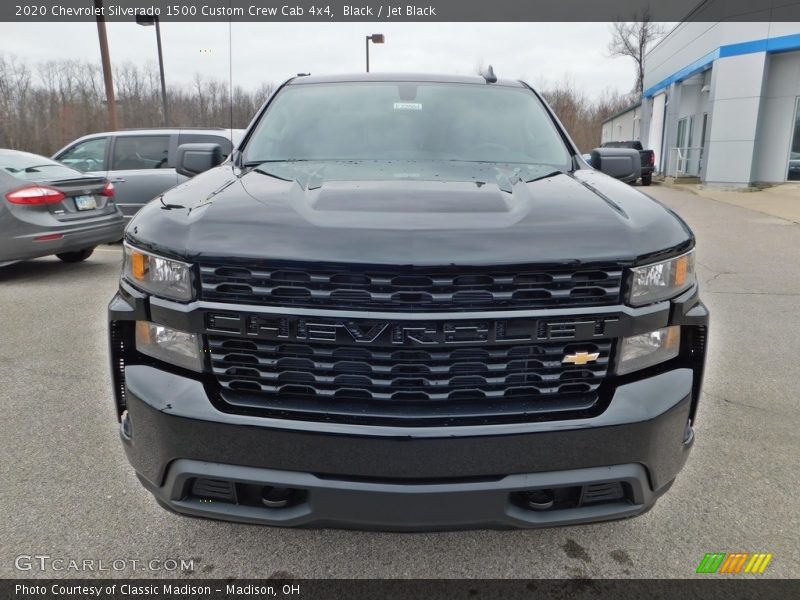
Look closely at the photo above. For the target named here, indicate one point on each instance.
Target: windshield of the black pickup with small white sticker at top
(407, 121)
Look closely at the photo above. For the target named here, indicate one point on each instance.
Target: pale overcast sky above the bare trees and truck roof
(271, 52)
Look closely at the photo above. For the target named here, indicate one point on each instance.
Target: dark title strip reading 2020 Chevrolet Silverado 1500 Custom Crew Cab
(402, 10)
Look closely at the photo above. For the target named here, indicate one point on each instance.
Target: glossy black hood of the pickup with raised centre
(408, 212)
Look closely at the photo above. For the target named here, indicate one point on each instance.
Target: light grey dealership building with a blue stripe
(721, 102)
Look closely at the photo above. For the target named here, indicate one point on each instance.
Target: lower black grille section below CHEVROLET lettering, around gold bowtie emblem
(316, 380)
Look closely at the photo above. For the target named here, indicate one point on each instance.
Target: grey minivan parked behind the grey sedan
(140, 162)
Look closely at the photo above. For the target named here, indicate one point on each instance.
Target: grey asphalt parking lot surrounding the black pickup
(68, 491)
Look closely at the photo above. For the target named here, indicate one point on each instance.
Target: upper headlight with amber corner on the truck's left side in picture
(159, 276)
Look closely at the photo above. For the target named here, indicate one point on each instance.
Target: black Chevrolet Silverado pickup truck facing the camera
(405, 302)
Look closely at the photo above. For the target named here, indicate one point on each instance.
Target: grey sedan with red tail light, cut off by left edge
(48, 208)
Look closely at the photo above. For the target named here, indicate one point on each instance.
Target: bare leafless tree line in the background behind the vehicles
(46, 105)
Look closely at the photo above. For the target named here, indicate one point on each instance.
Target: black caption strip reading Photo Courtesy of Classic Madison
(707, 587)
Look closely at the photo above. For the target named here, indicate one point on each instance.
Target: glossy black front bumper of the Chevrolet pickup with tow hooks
(394, 477)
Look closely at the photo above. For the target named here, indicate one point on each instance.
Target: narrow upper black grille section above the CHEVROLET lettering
(411, 289)
